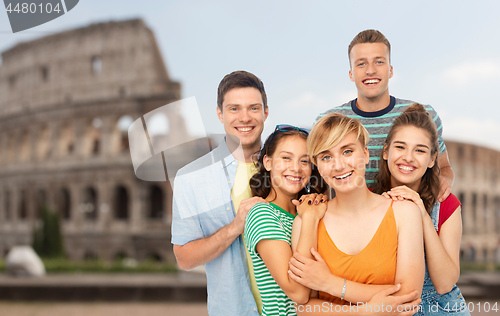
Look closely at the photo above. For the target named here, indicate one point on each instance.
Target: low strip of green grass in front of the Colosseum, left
(61, 265)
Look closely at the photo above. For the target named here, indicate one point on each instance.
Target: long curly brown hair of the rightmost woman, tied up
(416, 116)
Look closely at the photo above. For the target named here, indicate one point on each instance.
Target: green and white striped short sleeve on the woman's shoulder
(262, 222)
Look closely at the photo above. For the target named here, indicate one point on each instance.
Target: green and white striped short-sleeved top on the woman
(269, 221)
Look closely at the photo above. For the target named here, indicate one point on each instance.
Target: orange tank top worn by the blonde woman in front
(375, 264)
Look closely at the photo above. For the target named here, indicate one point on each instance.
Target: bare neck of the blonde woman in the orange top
(354, 202)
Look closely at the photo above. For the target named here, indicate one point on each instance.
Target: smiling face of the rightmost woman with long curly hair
(408, 156)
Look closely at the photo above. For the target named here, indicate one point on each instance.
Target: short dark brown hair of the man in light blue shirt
(240, 79)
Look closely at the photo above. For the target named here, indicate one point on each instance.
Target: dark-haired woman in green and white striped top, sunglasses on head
(284, 171)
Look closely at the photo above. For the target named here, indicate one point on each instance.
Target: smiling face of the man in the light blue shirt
(243, 115)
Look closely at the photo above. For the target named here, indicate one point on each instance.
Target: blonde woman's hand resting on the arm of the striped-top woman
(309, 272)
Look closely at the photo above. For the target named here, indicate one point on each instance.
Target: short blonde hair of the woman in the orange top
(330, 130)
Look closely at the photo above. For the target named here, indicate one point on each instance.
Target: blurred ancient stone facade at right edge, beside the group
(477, 185)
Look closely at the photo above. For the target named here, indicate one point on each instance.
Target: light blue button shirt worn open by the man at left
(201, 206)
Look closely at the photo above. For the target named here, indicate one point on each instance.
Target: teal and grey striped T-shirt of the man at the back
(378, 125)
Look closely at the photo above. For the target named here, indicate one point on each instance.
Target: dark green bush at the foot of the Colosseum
(47, 239)
